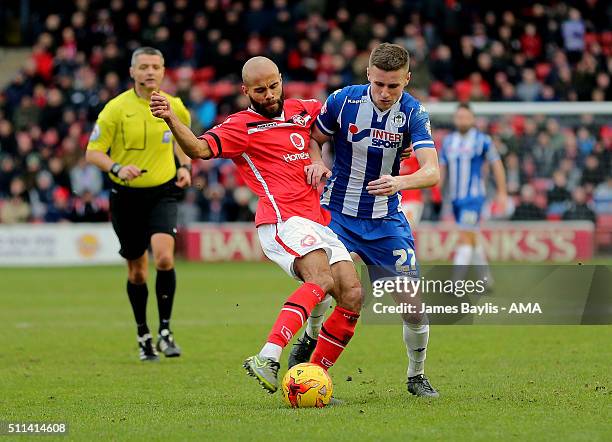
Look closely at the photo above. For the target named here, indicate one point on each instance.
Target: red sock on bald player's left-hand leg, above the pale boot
(295, 312)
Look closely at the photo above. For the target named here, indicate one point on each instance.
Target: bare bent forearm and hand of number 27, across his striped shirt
(428, 175)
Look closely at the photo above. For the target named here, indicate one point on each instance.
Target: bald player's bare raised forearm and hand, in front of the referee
(187, 141)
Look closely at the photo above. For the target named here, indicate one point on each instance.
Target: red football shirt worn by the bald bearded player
(270, 156)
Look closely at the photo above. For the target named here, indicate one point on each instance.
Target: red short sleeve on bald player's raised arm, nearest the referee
(228, 139)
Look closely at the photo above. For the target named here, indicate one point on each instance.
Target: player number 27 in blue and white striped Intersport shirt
(370, 126)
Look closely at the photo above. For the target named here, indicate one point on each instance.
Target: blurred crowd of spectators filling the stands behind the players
(461, 51)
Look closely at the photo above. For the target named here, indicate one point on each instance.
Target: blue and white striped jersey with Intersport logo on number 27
(368, 144)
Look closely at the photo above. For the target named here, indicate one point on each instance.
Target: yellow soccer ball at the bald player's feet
(307, 385)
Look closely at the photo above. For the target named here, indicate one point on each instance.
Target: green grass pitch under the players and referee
(68, 353)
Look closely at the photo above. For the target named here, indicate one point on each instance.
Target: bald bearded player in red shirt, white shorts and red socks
(269, 142)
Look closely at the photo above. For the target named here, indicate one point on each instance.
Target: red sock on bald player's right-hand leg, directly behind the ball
(335, 334)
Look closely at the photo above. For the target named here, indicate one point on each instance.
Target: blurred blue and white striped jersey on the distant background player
(464, 157)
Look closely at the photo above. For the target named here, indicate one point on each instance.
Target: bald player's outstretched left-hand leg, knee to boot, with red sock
(313, 268)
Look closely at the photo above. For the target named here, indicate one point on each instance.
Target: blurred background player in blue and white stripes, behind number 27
(463, 156)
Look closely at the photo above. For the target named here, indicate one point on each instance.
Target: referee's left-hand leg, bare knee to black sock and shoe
(138, 294)
